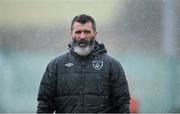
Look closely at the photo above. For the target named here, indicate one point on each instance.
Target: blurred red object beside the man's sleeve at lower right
(134, 105)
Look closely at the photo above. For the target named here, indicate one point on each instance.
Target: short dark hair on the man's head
(83, 18)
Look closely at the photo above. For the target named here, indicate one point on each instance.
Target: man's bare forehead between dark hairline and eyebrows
(80, 26)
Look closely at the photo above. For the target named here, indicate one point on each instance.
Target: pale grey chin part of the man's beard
(82, 51)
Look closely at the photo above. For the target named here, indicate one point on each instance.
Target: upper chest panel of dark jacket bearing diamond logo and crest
(94, 65)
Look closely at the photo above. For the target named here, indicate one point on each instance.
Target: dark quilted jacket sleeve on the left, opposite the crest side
(47, 90)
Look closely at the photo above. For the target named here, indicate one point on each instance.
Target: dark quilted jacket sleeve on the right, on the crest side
(119, 91)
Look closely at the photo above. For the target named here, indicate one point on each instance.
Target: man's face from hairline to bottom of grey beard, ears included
(83, 37)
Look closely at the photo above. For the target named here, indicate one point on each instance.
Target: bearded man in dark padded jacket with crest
(85, 79)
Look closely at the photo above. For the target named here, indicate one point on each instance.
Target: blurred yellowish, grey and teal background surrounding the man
(142, 34)
